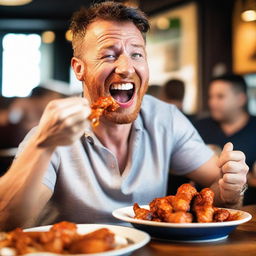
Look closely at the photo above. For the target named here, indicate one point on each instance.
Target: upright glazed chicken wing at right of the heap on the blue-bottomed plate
(203, 205)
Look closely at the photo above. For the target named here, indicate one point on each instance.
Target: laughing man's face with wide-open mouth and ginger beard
(115, 64)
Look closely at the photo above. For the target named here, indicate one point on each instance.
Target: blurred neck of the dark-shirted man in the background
(235, 124)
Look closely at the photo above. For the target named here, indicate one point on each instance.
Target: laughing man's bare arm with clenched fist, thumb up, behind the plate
(225, 174)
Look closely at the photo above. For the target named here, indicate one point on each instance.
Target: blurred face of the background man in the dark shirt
(224, 101)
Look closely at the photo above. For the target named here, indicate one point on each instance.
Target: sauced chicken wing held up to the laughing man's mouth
(100, 106)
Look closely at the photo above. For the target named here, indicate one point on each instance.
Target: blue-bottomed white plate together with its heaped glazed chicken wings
(188, 216)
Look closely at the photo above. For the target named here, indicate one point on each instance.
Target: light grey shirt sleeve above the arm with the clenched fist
(189, 151)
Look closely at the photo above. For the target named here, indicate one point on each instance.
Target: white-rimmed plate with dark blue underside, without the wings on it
(182, 232)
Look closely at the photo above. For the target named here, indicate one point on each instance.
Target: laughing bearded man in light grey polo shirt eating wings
(126, 158)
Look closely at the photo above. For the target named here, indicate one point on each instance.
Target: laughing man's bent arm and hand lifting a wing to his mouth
(22, 193)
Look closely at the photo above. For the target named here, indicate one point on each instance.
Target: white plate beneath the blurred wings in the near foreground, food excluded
(133, 239)
